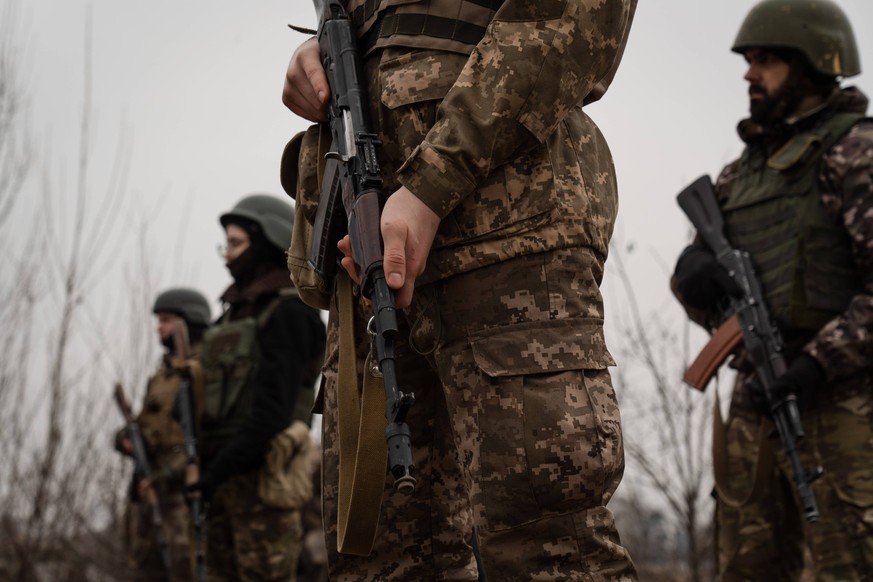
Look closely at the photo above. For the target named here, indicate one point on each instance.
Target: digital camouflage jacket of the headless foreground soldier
(496, 142)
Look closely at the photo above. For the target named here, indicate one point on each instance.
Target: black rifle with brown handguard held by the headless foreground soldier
(351, 202)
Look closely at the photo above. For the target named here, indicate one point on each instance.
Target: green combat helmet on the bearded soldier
(817, 28)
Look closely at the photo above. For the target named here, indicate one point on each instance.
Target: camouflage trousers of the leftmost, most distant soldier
(143, 551)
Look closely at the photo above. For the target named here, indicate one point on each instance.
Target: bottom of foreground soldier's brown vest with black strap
(425, 24)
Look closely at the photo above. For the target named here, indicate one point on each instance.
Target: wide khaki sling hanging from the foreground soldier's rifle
(361, 426)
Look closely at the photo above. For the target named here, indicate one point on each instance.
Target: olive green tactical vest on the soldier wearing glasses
(230, 358)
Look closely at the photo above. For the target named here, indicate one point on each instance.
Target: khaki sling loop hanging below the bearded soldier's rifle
(763, 462)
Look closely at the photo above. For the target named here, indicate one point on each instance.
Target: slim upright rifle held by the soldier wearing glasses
(184, 409)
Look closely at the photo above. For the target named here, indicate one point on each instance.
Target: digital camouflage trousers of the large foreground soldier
(505, 439)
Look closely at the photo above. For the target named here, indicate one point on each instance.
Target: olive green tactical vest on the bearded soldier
(802, 258)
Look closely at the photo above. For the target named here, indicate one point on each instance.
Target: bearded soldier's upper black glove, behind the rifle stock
(701, 280)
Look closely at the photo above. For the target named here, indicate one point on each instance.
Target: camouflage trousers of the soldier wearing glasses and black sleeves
(247, 541)
